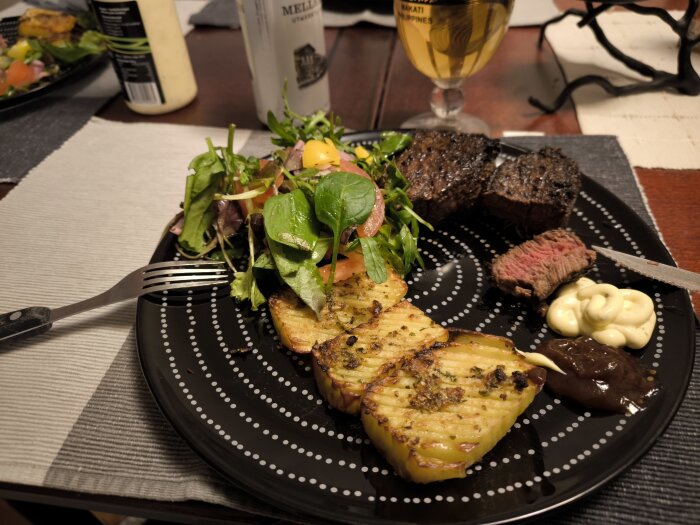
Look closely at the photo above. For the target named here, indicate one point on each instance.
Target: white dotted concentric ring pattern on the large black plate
(263, 406)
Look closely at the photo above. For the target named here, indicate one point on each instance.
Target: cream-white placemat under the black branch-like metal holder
(656, 130)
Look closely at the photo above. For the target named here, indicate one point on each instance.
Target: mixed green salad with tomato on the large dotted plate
(316, 211)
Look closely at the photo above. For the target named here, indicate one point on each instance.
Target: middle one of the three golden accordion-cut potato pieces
(344, 365)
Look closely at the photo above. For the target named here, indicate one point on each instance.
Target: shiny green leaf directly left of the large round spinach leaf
(290, 220)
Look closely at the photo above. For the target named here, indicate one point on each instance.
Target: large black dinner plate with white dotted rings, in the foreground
(257, 417)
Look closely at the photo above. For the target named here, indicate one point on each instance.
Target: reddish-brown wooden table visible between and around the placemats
(374, 86)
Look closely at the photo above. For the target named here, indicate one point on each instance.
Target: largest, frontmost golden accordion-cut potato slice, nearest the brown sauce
(443, 409)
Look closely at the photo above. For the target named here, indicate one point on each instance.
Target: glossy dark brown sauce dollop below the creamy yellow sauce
(598, 376)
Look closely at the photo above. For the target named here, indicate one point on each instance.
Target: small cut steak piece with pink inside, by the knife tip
(535, 268)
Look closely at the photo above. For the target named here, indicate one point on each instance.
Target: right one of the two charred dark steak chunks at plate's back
(536, 191)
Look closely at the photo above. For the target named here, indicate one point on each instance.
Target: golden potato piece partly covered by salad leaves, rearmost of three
(351, 302)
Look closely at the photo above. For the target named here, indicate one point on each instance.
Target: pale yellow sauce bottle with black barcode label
(148, 52)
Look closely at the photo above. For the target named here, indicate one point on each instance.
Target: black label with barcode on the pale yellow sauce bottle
(130, 51)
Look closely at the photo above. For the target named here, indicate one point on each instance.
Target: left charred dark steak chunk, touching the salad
(447, 171)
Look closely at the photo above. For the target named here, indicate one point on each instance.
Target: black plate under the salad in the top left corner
(67, 74)
